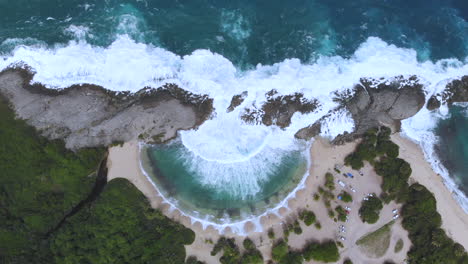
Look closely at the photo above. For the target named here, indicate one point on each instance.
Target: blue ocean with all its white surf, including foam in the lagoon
(223, 48)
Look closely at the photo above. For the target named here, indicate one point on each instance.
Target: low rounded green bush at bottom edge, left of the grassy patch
(324, 252)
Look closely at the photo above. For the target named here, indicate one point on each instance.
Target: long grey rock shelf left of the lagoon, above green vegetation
(88, 115)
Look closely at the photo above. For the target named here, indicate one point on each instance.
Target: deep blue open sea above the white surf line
(248, 32)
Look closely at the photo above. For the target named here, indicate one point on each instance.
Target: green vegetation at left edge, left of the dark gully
(40, 181)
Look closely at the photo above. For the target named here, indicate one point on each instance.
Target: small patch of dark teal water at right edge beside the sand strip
(453, 145)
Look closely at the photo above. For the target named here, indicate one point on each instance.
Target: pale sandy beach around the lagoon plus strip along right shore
(123, 162)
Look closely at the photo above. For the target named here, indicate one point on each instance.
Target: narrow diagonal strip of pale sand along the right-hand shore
(454, 218)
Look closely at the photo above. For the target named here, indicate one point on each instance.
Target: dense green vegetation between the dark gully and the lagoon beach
(123, 227)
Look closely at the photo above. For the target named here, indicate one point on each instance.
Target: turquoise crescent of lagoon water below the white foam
(172, 168)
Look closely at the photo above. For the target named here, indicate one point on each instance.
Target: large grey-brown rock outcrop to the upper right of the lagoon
(373, 102)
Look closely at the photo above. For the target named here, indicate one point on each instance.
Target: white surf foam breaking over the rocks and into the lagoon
(129, 66)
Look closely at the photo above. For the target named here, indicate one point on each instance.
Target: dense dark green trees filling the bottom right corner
(430, 244)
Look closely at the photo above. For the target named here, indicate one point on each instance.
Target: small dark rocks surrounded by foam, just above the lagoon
(279, 109)
